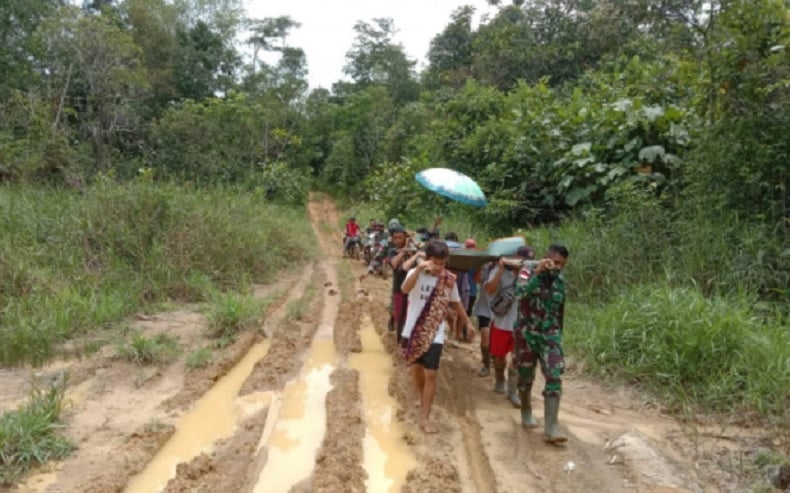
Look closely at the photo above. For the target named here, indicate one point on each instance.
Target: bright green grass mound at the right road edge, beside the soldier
(695, 352)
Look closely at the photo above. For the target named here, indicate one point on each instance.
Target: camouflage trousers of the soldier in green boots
(534, 346)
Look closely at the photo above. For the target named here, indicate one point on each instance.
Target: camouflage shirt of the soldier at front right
(541, 301)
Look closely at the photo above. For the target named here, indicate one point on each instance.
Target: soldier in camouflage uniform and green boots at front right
(541, 294)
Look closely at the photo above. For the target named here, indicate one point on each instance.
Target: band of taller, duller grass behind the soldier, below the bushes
(721, 255)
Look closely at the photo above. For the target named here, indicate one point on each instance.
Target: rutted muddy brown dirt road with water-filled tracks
(315, 401)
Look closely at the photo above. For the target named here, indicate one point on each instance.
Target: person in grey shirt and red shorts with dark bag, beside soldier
(501, 288)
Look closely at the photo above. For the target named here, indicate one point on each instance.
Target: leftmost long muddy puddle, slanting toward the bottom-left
(213, 417)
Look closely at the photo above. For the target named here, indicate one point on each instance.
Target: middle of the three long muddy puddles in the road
(296, 422)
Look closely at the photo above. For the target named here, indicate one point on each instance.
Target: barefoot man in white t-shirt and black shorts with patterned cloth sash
(419, 285)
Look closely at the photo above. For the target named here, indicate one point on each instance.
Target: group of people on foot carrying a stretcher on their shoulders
(519, 307)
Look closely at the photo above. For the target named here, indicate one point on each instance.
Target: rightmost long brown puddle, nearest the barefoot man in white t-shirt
(387, 457)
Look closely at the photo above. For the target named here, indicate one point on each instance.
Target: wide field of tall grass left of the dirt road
(72, 261)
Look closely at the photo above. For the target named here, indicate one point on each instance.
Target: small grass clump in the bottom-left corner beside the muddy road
(30, 435)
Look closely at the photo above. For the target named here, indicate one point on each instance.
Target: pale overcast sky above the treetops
(327, 30)
